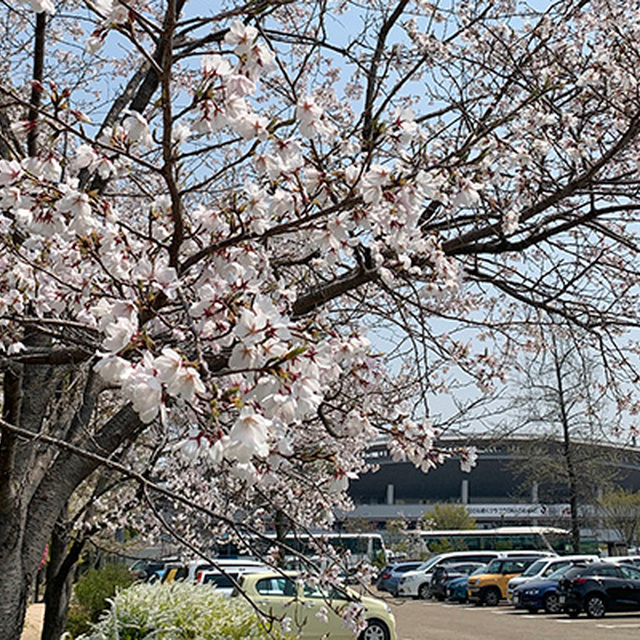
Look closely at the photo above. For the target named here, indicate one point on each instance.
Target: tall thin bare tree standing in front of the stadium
(561, 403)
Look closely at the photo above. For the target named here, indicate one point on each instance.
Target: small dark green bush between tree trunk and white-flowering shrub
(92, 591)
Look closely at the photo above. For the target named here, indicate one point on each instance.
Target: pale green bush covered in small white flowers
(177, 611)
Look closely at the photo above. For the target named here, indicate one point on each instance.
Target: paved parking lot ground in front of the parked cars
(430, 620)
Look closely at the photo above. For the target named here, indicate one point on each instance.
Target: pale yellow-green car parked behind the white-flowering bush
(315, 613)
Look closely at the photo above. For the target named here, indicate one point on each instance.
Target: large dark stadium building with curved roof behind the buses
(494, 492)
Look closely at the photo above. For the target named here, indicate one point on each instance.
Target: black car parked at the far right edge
(600, 587)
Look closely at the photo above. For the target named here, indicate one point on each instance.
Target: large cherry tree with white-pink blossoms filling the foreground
(212, 218)
